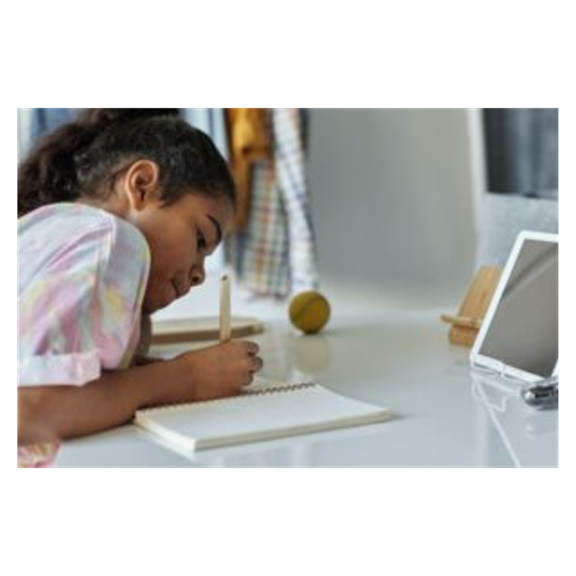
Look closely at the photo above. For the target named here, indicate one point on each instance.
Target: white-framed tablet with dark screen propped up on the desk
(520, 336)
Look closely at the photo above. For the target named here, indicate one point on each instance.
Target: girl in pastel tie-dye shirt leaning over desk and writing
(118, 212)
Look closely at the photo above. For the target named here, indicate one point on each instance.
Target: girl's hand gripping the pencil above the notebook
(219, 371)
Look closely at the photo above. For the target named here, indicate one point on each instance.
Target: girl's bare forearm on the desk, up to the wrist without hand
(62, 412)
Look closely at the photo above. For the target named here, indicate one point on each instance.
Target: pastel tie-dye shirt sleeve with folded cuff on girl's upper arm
(81, 313)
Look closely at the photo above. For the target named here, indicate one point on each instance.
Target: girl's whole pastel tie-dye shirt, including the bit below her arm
(81, 279)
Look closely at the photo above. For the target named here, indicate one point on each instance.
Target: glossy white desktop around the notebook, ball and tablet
(397, 359)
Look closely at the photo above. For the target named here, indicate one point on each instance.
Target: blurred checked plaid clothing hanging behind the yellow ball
(276, 255)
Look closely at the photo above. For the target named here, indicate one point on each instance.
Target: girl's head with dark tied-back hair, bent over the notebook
(149, 167)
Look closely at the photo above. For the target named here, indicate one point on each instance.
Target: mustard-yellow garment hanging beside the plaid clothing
(250, 143)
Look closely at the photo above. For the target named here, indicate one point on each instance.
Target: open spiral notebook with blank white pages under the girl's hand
(266, 410)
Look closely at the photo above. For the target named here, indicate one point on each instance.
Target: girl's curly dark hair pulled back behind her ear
(84, 158)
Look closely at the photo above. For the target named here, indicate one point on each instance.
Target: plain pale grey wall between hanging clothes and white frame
(394, 195)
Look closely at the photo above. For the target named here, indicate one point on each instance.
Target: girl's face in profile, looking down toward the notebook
(181, 236)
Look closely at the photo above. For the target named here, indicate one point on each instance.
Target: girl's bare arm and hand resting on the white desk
(60, 412)
